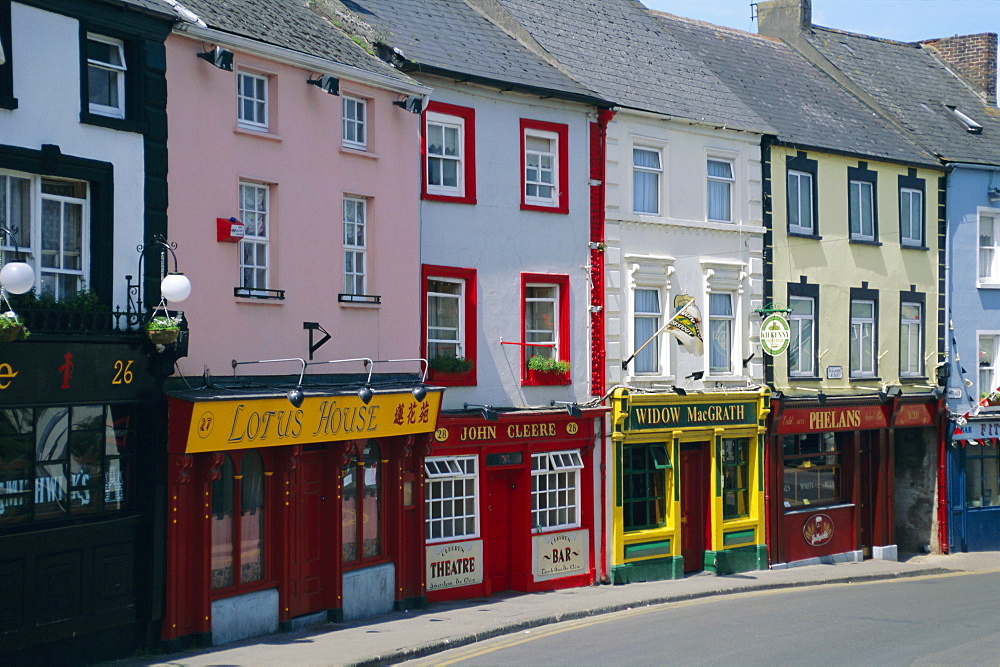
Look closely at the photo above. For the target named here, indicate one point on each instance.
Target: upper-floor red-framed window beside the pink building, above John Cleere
(448, 146)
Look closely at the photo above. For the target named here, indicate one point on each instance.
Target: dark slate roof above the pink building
(289, 24)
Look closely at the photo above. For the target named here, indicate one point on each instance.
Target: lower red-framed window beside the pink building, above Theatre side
(449, 324)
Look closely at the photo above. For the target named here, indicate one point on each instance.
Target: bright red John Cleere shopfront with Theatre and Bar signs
(510, 503)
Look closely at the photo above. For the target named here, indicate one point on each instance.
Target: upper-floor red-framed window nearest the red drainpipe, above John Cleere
(544, 166)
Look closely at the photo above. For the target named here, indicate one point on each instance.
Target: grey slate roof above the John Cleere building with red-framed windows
(452, 36)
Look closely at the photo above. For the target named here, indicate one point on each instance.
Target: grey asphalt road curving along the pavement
(942, 619)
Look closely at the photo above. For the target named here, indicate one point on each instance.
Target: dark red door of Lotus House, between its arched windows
(309, 546)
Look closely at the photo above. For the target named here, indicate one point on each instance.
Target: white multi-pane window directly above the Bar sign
(555, 490)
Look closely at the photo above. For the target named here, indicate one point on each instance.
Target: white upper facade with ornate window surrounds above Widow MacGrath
(679, 251)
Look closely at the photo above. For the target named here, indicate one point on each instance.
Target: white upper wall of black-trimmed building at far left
(48, 112)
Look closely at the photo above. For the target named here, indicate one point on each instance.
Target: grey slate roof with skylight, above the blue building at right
(913, 85)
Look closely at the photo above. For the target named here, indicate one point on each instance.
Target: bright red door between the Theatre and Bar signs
(498, 515)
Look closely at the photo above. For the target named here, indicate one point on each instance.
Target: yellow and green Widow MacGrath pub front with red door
(688, 483)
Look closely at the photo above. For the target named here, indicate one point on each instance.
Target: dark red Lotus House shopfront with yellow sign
(281, 515)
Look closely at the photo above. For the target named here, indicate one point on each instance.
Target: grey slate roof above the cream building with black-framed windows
(801, 103)
